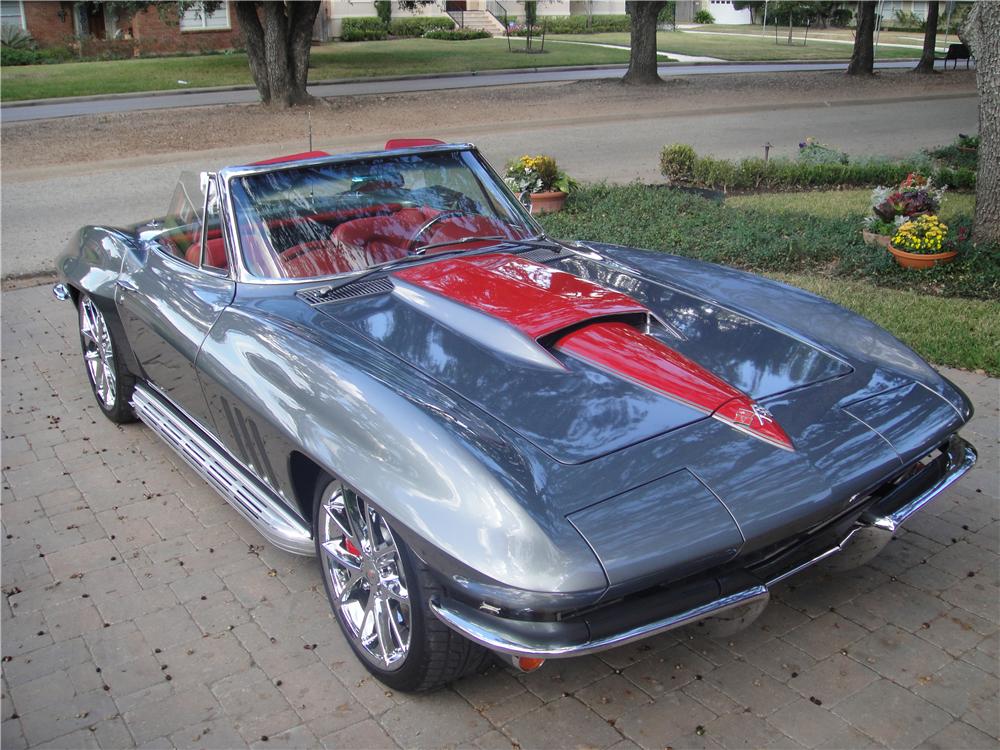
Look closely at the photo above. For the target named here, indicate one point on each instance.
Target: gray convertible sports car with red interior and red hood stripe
(493, 441)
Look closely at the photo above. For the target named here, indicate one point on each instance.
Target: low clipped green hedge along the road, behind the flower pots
(680, 165)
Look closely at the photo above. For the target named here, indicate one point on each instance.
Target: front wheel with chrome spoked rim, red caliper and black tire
(379, 591)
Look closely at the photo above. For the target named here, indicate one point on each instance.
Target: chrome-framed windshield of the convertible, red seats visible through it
(337, 218)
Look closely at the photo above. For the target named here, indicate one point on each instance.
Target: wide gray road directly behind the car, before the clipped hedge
(43, 206)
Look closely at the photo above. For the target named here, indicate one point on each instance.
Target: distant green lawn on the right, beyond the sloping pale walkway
(740, 48)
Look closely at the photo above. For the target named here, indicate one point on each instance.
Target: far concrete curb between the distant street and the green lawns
(414, 77)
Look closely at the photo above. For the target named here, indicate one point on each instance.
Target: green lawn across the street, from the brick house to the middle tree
(335, 60)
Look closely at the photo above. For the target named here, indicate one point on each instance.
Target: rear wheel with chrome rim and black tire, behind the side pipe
(97, 342)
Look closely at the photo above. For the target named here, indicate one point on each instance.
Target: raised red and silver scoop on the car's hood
(541, 315)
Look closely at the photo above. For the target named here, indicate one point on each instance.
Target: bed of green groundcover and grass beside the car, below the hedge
(949, 314)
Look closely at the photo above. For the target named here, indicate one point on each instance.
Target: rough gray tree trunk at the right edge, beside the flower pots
(981, 33)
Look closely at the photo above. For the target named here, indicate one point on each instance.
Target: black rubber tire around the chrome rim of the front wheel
(437, 655)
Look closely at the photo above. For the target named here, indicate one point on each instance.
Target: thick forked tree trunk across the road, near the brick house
(278, 38)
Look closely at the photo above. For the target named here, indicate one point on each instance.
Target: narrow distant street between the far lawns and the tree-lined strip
(129, 103)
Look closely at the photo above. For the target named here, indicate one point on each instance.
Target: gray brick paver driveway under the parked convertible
(140, 610)
